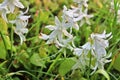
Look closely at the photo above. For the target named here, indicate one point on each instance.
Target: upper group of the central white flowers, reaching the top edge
(79, 13)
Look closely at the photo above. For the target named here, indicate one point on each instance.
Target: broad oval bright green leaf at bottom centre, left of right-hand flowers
(66, 66)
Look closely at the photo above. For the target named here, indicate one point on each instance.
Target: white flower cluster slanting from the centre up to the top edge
(70, 18)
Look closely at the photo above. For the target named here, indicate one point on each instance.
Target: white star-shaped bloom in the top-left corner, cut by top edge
(10, 4)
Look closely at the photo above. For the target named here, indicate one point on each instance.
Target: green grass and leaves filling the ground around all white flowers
(36, 60)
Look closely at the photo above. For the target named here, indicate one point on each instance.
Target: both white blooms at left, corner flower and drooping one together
(21, 21)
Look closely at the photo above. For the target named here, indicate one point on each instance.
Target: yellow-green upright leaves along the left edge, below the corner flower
(4, 40)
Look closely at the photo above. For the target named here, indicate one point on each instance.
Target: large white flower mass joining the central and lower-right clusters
(61, 35)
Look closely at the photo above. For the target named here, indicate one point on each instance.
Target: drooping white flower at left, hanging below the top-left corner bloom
(21, 23)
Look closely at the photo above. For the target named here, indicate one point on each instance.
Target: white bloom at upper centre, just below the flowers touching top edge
(76, 14)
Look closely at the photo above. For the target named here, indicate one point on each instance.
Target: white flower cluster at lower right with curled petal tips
(96, 46)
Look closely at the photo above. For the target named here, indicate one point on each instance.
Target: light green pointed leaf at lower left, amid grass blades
(37, 61)
